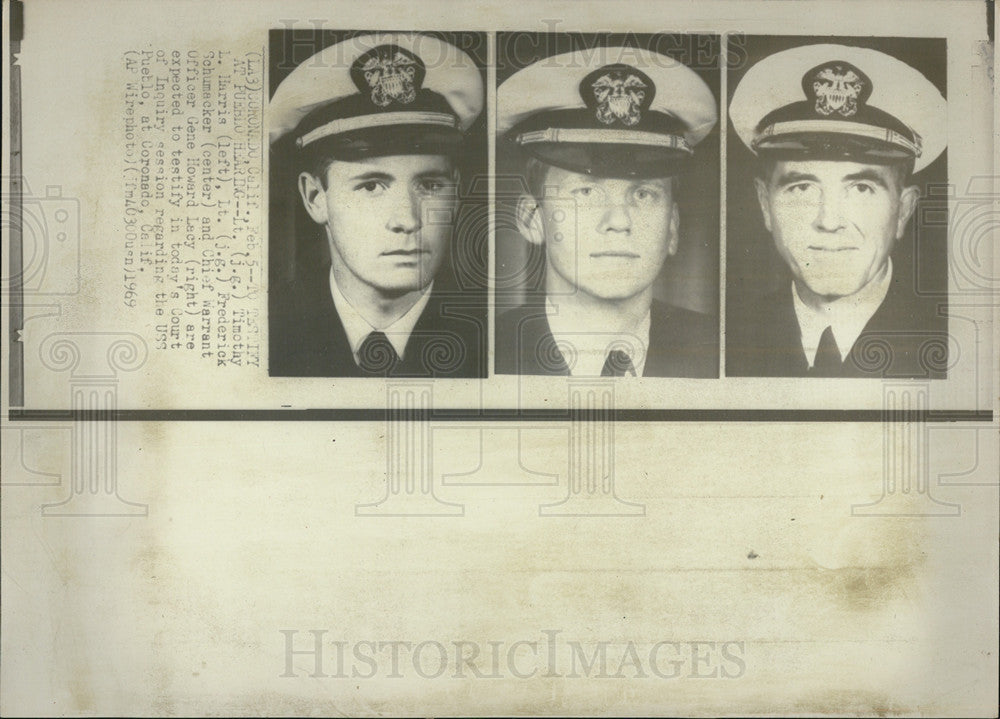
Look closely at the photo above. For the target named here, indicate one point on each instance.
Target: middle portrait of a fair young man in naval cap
(603, 139)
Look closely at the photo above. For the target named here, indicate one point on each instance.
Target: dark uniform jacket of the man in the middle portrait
(682, 343)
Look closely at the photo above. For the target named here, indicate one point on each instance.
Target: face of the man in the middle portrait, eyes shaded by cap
(606, 237)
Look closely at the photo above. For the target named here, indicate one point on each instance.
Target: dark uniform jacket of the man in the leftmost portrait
(307, 338)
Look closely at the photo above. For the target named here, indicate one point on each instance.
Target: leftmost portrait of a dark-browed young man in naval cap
(370, 137)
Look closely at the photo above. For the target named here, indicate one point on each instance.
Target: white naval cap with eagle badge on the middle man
(641, 115)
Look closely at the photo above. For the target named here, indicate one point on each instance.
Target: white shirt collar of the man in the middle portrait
(586, 351)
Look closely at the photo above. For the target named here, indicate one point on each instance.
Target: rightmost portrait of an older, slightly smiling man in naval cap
(842, 136)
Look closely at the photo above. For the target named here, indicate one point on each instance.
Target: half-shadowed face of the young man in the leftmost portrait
(388, 219)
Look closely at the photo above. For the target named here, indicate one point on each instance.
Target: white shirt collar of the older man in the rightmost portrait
(846, 316)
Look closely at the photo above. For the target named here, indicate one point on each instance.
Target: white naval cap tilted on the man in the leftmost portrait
(379, 94)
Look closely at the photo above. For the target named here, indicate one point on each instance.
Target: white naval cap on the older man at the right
(840, 102)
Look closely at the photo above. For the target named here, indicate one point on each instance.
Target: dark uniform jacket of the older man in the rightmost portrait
(905, 338)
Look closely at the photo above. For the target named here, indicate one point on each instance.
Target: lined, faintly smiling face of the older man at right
(834, 222)
